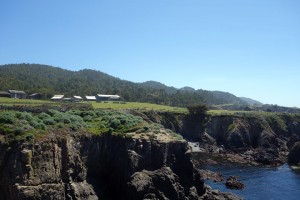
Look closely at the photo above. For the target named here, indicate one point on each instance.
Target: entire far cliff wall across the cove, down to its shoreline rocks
(264, 139)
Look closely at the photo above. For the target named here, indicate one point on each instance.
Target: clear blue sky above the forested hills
(247, 47)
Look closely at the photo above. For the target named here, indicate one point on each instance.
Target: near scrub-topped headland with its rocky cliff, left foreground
(95, 154)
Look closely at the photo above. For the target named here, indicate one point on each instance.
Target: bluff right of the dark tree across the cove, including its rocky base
(249, 139)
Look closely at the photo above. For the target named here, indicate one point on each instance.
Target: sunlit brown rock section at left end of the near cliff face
(52, 169)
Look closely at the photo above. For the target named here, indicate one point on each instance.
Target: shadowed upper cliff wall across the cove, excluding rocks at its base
(231, 131)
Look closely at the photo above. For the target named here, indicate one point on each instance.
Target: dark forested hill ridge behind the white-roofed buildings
(48, 80)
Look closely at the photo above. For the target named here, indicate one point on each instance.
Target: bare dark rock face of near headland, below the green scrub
(105, 167)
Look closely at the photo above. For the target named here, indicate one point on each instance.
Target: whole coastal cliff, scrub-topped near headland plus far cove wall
(112, 155)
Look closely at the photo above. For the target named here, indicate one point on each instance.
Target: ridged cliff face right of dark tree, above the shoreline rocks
(233, 132)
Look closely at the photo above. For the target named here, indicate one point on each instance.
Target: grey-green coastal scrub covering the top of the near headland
(15, 125)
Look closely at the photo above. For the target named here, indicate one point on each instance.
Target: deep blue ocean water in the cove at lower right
(261, 183)
